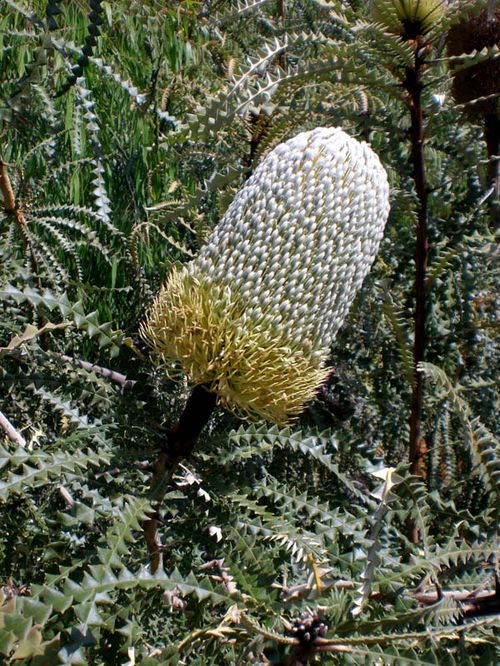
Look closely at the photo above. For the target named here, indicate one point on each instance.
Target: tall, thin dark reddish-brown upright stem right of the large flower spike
(414, 87)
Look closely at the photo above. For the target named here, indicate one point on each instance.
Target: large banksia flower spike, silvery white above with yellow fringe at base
(254, 315)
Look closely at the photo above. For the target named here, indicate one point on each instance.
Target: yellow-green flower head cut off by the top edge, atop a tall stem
(408, 18)
